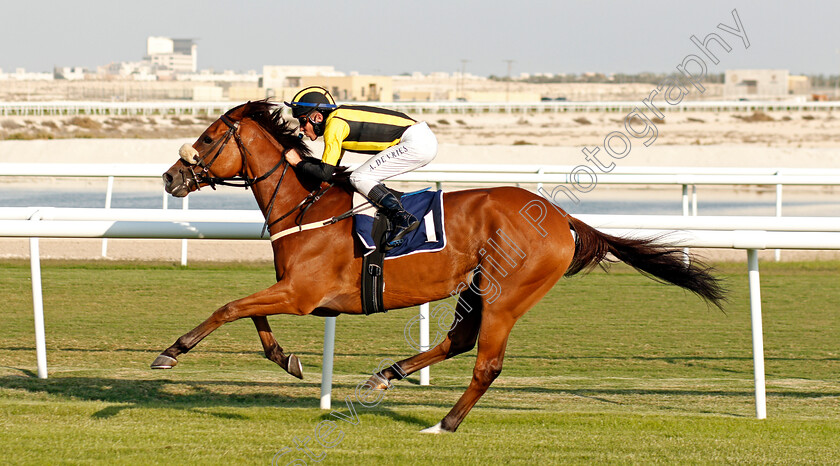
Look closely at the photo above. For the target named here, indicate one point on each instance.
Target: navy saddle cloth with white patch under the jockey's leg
(430, 236)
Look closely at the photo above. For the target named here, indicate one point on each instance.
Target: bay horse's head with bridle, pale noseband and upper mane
(219, 154)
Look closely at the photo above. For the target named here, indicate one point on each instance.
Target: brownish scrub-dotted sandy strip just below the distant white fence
(799, 130)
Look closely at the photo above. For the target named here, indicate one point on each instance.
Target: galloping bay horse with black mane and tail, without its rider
(506, 248)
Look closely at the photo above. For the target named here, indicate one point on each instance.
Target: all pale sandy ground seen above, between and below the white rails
(786, 140)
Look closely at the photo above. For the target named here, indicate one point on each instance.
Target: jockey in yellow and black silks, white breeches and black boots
(398, 143)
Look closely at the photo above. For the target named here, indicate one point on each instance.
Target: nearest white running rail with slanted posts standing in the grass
(750, 233)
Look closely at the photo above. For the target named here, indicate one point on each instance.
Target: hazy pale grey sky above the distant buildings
(396, 36)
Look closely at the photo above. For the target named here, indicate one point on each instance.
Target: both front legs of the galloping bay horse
(274, 300)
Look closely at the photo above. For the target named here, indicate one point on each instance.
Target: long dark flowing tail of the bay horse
(650, 257)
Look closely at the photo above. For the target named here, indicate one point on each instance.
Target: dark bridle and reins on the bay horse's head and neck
(242, 179)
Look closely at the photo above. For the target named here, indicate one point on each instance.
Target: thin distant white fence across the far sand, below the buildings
(217, 108)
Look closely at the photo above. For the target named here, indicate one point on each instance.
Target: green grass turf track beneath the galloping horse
(607, 368)
